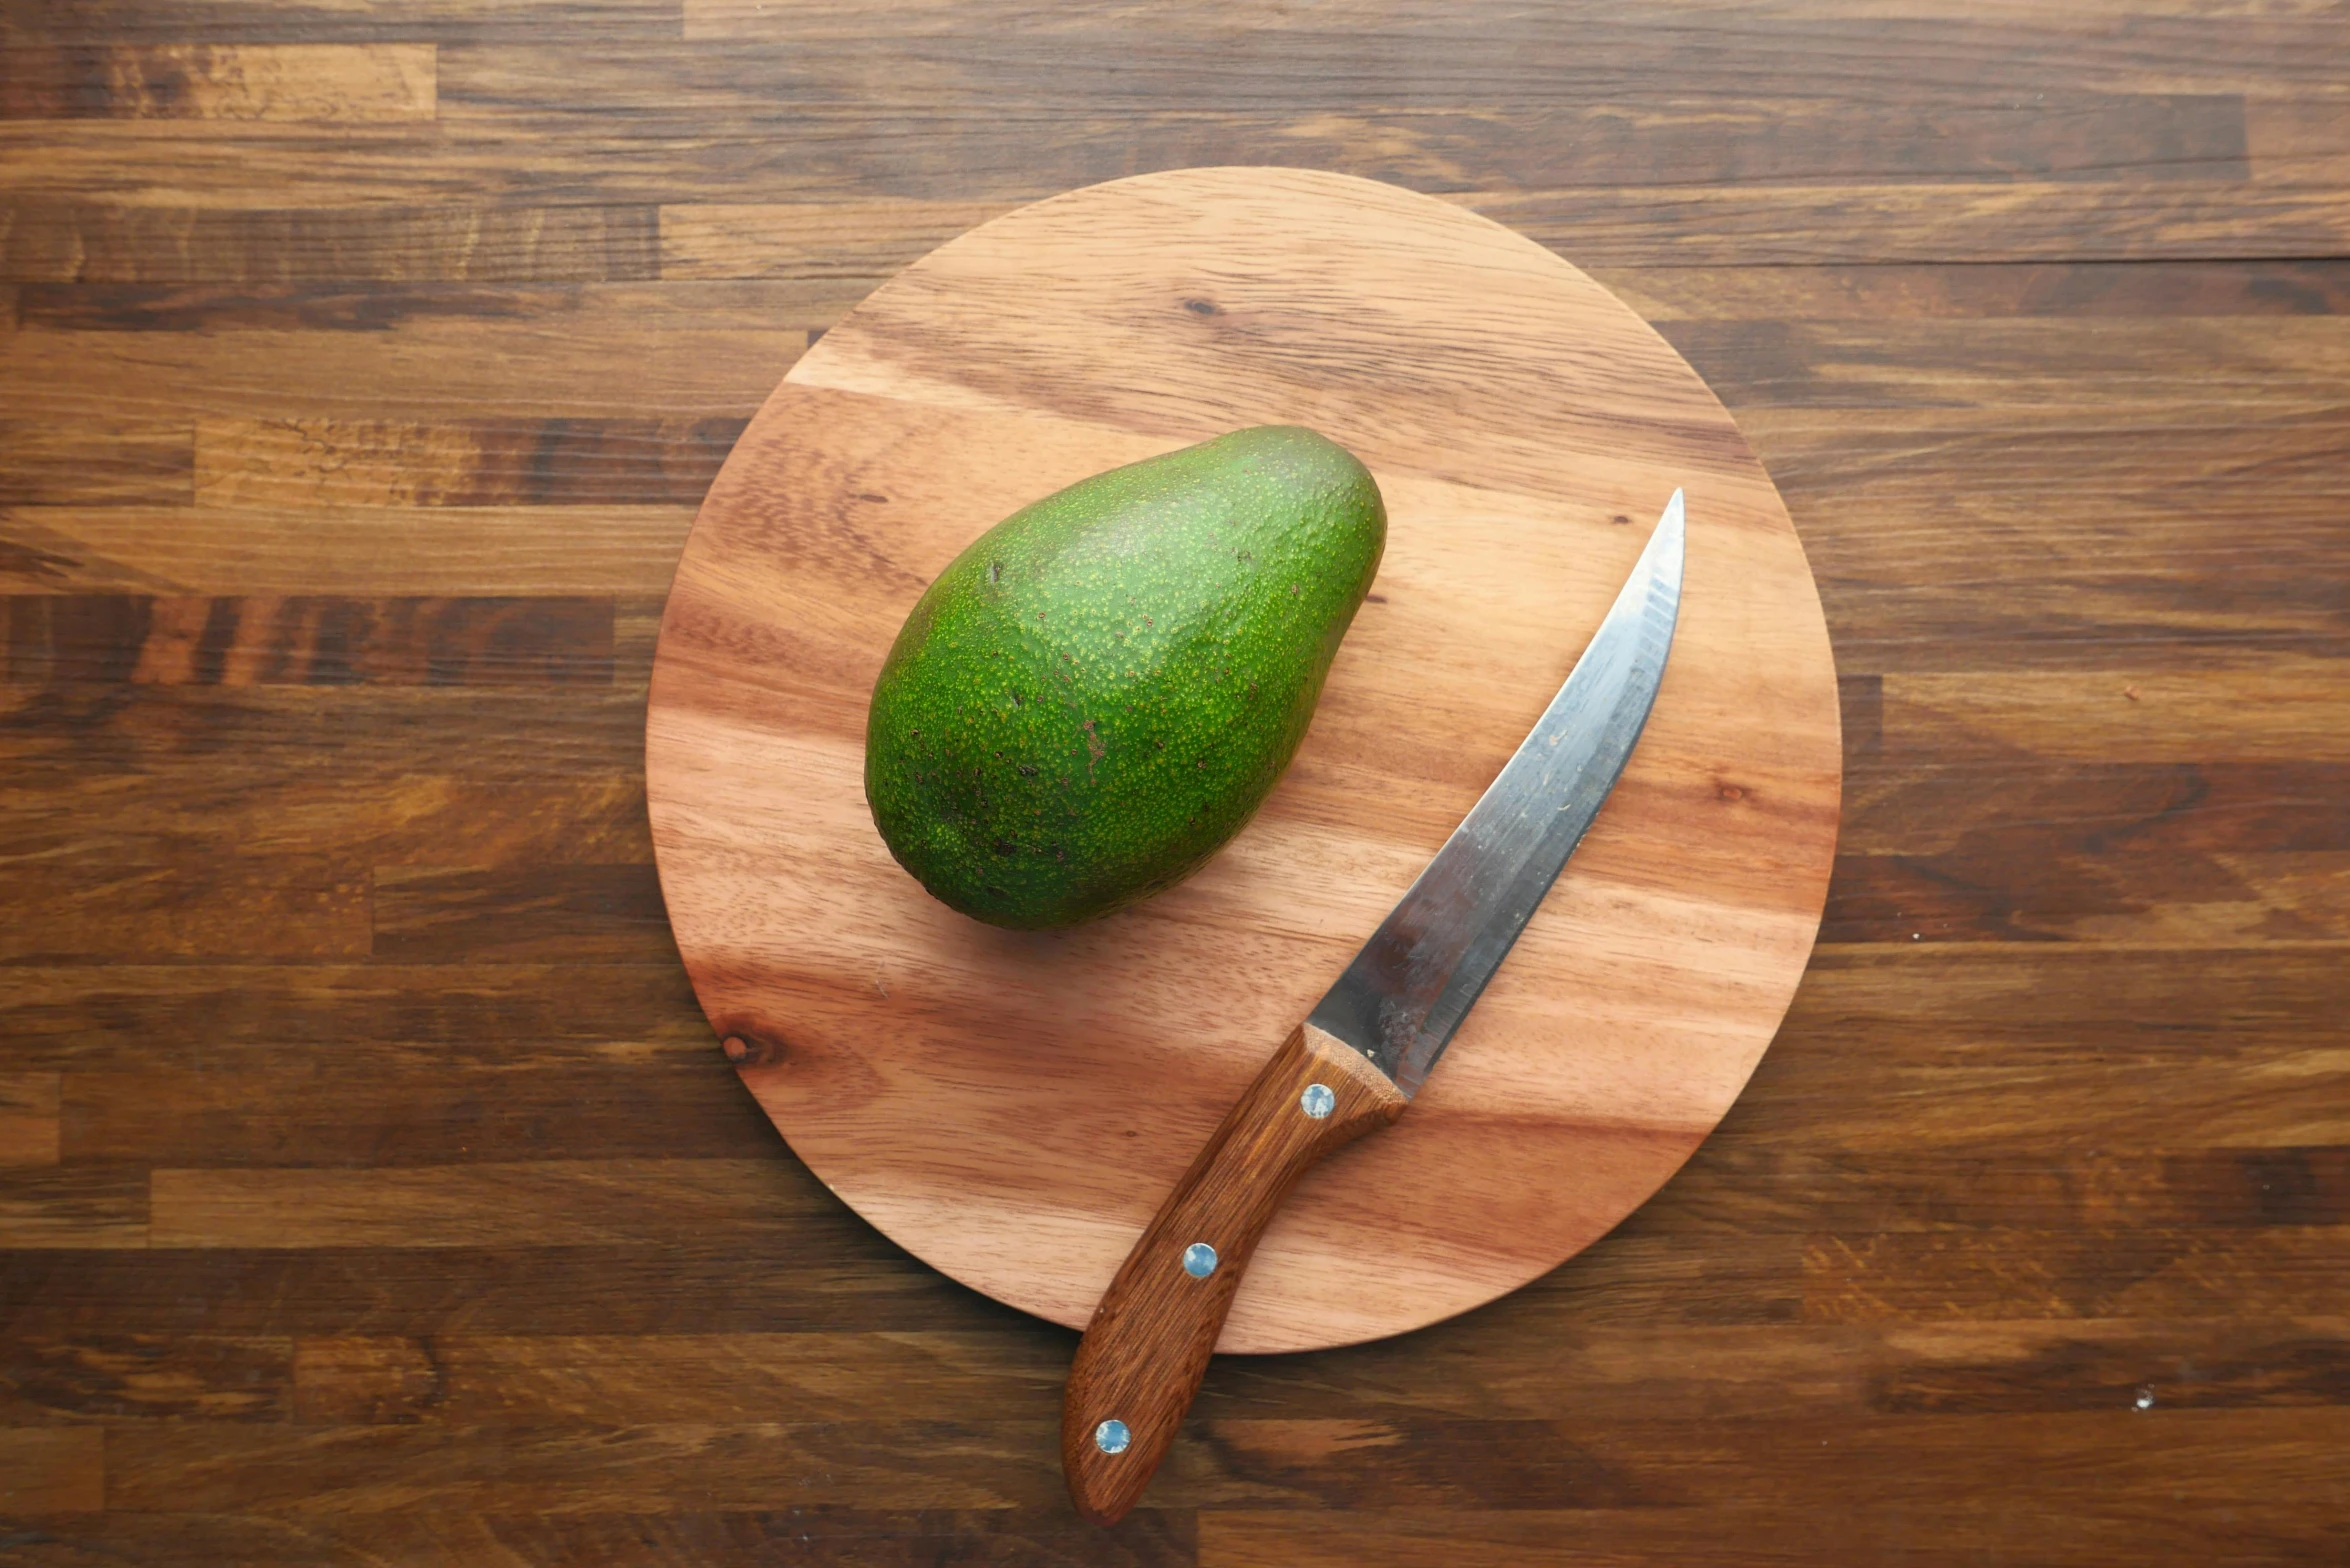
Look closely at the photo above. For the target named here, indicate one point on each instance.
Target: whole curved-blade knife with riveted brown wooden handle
(1367, 1047)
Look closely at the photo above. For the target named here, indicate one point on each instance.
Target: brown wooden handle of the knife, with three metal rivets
(1157, 1325)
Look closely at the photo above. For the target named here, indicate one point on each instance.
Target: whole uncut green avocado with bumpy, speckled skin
(1103, 690)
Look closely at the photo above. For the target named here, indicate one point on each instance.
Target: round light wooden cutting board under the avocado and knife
(1014, 1106)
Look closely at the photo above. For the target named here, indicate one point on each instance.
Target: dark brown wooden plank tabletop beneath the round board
(370, 1184)
